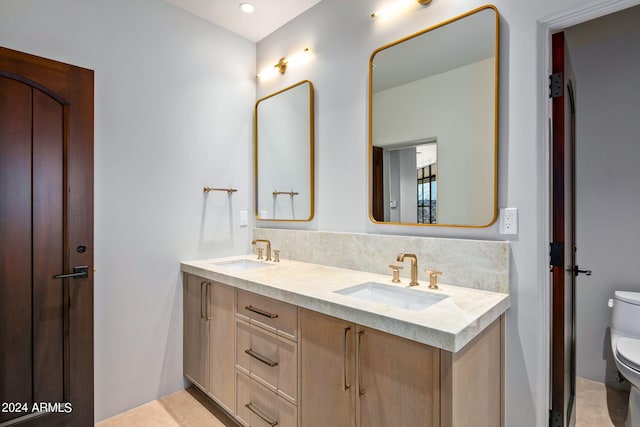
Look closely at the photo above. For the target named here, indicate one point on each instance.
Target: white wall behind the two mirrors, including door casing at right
(342, 35)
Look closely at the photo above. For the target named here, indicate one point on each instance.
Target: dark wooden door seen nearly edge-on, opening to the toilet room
(563, 246)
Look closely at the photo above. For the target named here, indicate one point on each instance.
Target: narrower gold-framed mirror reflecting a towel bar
(284, 154)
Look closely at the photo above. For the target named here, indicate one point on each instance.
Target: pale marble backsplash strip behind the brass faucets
(477, 264)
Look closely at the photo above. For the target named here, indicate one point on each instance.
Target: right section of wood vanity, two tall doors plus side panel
(357, 376)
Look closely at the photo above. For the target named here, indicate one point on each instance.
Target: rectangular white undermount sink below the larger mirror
(409, 299)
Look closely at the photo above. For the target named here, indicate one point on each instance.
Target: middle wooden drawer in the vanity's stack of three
(268, 358)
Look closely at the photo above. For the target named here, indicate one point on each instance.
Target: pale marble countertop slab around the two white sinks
(449, 324)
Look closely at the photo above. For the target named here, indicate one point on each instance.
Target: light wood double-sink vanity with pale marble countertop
(301, 344)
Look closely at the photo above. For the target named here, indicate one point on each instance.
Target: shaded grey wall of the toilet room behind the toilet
(606, 60)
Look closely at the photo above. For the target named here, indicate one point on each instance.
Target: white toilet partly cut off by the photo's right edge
(625, 343)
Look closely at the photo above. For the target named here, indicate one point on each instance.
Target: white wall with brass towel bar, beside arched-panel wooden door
(173, 112)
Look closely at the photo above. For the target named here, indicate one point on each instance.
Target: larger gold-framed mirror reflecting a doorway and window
(433, 123)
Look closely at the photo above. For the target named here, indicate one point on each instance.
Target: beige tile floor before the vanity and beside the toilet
(596, 406)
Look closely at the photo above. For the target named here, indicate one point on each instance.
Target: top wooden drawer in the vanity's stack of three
(273, 315)
